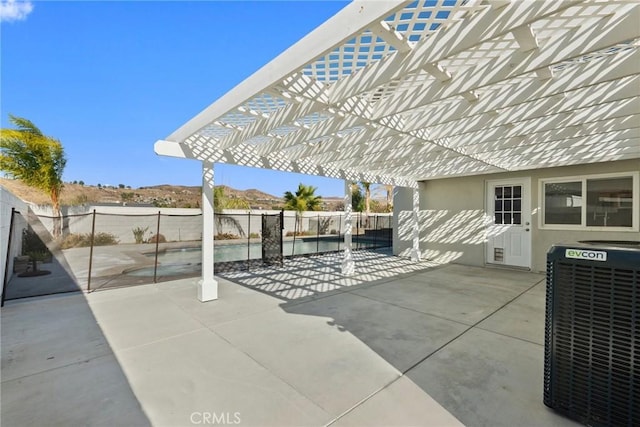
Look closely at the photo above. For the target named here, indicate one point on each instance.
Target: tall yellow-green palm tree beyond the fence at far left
(35, 159)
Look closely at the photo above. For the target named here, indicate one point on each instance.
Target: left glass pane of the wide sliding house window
(563, 203)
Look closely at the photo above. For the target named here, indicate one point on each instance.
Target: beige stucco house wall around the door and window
(453, 217)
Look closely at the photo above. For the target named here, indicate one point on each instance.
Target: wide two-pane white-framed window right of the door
(598, 201)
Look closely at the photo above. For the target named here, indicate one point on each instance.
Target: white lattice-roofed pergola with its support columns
(397, 92)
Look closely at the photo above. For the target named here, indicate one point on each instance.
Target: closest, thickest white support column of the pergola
(207, 286)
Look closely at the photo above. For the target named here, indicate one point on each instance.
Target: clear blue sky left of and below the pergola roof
(108, 79)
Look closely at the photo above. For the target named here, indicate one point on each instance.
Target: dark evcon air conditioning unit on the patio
(592, 332)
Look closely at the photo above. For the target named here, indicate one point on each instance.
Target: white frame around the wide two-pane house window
(635, 209)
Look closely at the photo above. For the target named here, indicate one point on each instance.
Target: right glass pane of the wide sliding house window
(610, 202)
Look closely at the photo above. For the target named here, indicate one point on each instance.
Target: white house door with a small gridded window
(509, 222)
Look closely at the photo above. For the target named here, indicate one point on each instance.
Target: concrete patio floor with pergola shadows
(396, 344)
